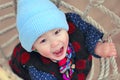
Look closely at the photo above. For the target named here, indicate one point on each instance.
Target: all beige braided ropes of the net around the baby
(104, 63)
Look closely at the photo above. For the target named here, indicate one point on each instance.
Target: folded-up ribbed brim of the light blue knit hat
(36, 26)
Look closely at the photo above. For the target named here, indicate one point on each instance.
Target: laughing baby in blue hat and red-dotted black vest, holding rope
(54, 45)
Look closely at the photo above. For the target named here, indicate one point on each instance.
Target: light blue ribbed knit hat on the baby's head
(35, 17)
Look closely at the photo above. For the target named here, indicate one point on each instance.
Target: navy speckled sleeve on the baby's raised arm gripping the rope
(92, 34)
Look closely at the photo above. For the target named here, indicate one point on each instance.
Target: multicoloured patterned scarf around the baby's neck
(66, 65)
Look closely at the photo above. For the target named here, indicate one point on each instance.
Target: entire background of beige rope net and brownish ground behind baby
(86, 8)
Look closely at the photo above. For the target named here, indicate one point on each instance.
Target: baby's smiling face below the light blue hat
(53, 44)
